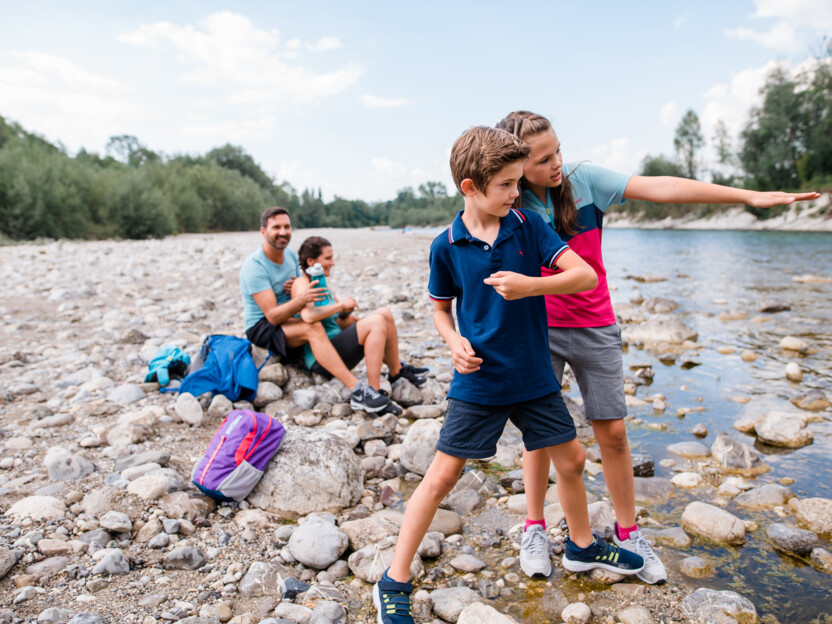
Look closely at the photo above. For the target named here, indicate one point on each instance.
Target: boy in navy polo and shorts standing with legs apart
(489, 261)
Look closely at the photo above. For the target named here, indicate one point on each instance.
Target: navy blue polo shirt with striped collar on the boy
(510, 336)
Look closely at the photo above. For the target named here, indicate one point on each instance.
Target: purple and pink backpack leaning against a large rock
(238, 454)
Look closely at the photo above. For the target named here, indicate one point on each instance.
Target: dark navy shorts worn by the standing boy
(471, 430)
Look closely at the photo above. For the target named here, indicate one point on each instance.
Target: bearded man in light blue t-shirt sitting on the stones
(270, 313)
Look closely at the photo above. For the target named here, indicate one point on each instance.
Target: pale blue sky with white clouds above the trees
(361, 99)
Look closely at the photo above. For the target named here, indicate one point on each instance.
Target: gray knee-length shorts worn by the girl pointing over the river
(594, 355)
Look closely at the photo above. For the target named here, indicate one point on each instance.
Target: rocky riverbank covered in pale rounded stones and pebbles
(100, 523)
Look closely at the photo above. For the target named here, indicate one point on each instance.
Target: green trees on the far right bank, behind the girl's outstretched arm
(786, 144)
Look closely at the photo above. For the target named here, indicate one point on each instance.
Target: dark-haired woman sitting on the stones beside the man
(373, 336)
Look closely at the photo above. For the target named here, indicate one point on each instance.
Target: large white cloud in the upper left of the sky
(228, 48)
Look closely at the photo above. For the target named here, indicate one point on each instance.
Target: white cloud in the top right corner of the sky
(797, 24)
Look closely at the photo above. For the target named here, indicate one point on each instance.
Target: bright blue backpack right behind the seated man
(227, 369)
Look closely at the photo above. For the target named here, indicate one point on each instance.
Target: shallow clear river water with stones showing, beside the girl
(710, 273)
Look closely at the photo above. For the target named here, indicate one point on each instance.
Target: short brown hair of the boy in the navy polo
(479, 153)
